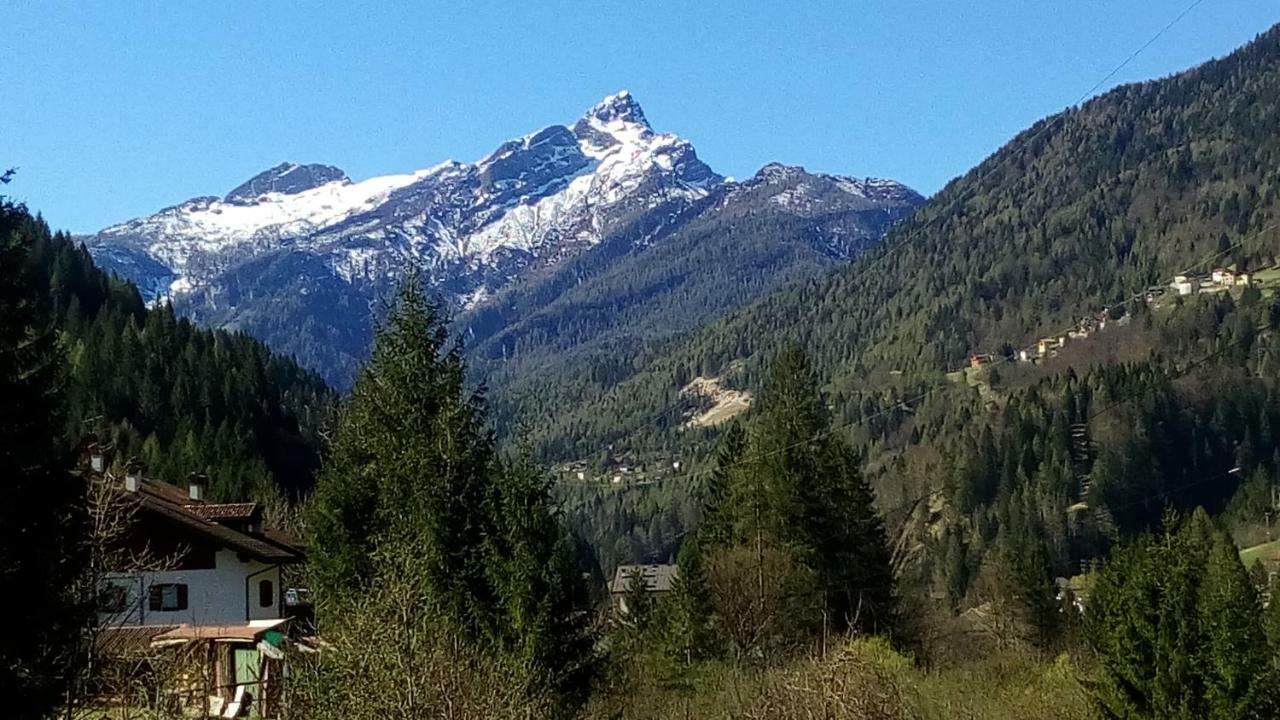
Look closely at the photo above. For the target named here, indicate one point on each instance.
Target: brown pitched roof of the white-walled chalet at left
(173, 505)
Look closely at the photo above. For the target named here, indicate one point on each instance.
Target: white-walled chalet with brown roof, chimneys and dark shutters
(199, 582)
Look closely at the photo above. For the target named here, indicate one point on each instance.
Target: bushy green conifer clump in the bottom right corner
(1178, 632)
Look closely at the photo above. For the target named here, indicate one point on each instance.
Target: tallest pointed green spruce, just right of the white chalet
(410, 464)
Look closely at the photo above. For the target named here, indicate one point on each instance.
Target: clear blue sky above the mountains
(117, 110)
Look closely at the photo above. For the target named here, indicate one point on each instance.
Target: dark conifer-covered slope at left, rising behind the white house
(180, 398)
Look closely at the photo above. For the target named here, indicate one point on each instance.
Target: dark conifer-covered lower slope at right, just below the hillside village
(1041, 471)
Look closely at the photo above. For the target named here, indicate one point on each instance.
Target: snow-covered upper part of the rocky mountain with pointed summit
(531, 202)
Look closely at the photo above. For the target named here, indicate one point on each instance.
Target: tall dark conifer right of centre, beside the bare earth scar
(789, 482)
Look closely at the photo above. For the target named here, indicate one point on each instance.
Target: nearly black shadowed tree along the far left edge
(43, 530)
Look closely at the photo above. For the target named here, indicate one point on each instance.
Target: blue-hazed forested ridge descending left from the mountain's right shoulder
(591, 321)
